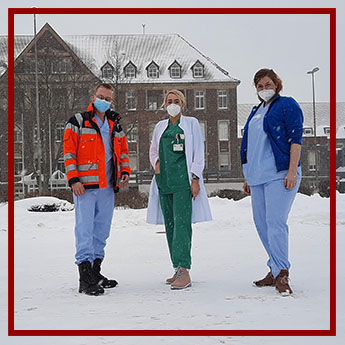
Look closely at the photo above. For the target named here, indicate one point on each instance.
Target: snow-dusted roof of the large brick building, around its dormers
(141, 49)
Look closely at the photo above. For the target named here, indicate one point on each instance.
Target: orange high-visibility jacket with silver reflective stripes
(84, 153)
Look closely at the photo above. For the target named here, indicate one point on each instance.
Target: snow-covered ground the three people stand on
(227, 257)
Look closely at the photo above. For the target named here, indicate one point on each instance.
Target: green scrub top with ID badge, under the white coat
(173, 175)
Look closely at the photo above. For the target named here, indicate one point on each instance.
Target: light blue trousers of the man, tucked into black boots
(93, 215)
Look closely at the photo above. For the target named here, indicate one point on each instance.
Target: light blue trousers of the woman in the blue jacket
(271, 204)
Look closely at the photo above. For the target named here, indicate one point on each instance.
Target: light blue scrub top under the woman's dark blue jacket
(261, 166)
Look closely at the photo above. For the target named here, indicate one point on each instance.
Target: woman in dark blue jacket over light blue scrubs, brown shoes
(270, 156)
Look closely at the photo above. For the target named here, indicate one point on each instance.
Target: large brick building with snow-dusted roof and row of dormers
(142, 68)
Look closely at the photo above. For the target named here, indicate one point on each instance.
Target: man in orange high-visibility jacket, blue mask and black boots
(97, 163)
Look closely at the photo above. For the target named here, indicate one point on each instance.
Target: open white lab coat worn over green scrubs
(194, 150)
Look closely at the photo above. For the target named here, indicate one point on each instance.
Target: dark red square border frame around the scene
(329, 332)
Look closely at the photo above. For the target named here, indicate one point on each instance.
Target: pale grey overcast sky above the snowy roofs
(241, 44)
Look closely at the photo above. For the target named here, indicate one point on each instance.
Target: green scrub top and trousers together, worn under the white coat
(175, 195)
